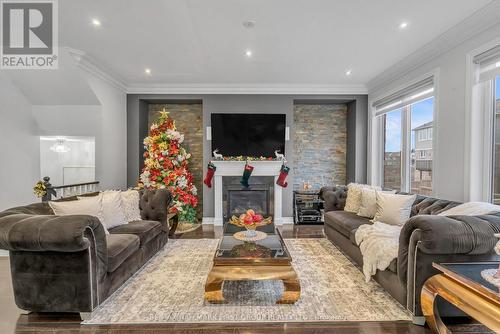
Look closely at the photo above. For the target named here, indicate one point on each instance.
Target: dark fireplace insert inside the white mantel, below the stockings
(258, 197)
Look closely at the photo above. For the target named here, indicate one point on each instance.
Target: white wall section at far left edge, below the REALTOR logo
(19, 147)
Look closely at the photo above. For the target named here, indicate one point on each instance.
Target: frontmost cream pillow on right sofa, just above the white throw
(393, 209)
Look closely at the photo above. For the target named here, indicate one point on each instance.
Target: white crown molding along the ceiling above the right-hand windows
(473, 25)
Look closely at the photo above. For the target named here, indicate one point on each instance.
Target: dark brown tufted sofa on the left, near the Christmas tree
(68, 263)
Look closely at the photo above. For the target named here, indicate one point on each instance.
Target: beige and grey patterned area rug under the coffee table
(170, 288)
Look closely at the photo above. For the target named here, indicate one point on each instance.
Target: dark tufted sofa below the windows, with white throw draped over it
(424, 239)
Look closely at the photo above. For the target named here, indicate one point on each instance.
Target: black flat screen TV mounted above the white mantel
(252, 135)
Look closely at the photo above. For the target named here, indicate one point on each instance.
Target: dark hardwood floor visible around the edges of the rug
(14, 320)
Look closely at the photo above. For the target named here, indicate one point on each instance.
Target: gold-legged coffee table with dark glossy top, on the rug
(266, 259)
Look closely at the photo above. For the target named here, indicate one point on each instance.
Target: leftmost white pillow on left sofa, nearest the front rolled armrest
(91, 206)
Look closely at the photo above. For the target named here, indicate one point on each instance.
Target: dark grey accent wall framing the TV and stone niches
(137, 129)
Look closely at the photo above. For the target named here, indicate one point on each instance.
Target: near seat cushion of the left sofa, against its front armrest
(120, 247)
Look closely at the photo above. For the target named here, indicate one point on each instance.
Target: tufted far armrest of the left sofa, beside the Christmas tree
(154, 205)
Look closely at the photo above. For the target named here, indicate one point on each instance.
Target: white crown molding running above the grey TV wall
(276, 89)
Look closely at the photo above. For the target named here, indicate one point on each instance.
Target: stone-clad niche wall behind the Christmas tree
(189, 121)
